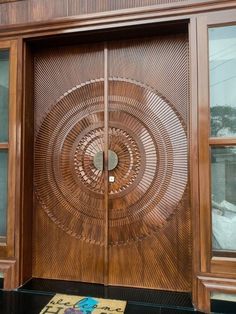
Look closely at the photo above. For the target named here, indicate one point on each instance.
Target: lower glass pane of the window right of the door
(223, 181)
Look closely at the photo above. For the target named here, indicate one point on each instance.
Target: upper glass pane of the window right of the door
(222, 60)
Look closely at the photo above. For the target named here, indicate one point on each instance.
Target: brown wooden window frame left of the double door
(7, 248)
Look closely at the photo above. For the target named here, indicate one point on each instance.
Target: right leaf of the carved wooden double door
(149, 214)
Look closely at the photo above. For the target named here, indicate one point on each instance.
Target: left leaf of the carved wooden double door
(69, 192)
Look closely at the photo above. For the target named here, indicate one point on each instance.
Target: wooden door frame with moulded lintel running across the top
(25, 34)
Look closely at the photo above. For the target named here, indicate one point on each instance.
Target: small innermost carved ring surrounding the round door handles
(128, 159)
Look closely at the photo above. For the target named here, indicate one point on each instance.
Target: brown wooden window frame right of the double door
(209, 263)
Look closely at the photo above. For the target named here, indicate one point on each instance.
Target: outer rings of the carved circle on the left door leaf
(68, 201)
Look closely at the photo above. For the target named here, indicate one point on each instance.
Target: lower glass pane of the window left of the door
(3, 191)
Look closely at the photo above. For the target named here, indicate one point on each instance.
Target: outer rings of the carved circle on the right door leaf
(160, 135)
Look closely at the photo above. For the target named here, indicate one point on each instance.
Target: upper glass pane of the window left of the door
(4, 87)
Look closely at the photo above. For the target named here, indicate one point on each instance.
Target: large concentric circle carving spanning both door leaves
(149, 138)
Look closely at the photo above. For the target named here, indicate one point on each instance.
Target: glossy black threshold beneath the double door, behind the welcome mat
(135, 296)
